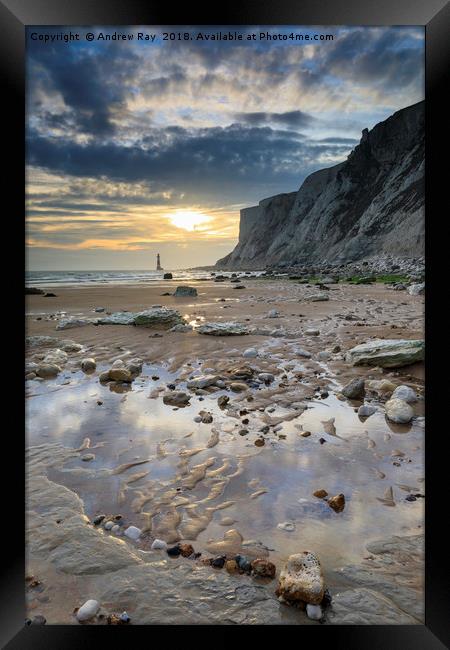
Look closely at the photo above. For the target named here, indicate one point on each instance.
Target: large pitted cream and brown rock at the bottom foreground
(302, 579)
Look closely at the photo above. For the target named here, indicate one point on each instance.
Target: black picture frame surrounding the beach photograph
(15, 16)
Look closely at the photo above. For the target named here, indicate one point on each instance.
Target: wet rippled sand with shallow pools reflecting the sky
(178, 479)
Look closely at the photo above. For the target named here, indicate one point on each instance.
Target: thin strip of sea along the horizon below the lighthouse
(99, 278)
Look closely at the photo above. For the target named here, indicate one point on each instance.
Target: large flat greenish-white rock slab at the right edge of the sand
(387, 353)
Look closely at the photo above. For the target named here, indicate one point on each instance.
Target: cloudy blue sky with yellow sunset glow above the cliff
(135, 148)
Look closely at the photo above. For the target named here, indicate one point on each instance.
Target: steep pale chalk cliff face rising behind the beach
(372, 203)
